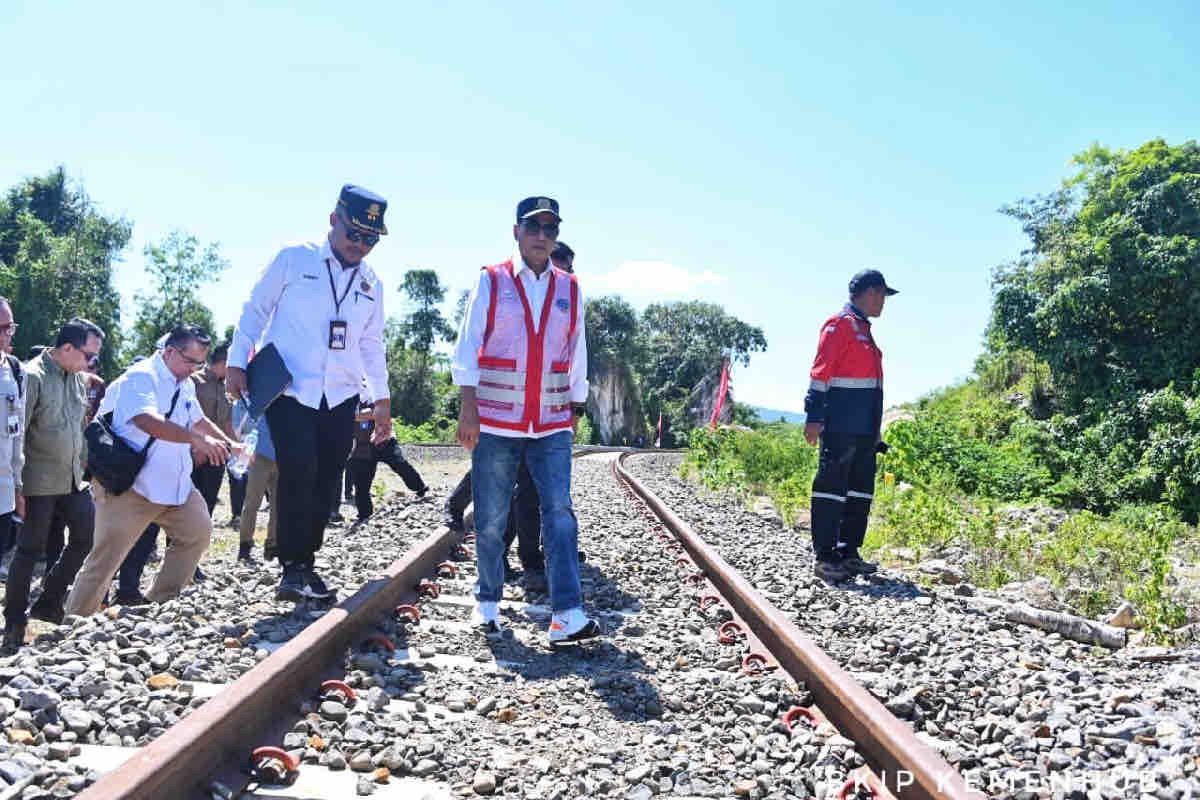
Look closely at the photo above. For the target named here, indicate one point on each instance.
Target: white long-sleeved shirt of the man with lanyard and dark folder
(292, 305)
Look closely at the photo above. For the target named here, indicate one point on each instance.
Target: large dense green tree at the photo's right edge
(1107, 292)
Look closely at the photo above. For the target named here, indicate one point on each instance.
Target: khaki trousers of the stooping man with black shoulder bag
(121, 521)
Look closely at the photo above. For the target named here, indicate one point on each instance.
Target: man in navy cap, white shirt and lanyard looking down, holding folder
(322, 308)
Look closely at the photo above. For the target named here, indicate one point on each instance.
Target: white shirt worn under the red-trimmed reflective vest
(465, 366)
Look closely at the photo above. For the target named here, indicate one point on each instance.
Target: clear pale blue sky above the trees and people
(751, 154)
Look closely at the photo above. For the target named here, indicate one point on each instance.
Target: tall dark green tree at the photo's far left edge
(57, 256)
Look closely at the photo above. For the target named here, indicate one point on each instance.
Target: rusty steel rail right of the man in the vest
(908, 767)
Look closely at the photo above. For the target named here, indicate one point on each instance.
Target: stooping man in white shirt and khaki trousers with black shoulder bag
(155, 398)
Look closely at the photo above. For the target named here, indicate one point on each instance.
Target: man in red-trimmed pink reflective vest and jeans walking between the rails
(521, 364)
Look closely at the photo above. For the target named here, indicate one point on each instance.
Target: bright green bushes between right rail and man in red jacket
(773, 461)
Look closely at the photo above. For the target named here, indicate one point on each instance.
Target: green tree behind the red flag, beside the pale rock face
(679, 345)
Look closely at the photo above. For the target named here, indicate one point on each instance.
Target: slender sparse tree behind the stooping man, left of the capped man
(177, 268)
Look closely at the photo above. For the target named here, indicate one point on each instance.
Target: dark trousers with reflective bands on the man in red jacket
(842, 494)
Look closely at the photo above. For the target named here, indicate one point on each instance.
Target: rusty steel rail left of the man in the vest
(221, 732)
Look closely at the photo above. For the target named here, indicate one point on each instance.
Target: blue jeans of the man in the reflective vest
(494, 470)
